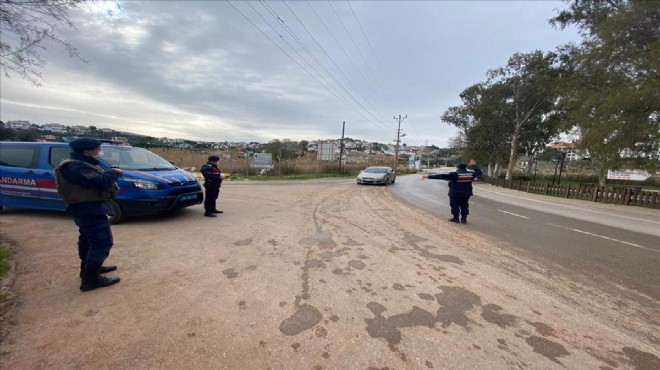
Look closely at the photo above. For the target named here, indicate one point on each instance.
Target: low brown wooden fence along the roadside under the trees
(629, 196)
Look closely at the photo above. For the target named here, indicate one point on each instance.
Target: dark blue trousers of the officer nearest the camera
(95, 240)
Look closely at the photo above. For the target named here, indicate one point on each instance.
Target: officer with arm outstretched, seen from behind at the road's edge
(460, 188)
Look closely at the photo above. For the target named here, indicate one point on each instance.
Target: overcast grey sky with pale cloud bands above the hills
(253, 71)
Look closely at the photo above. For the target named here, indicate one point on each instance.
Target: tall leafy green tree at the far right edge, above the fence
(612, 92)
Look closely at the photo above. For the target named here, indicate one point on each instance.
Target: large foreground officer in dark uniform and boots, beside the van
(87, 188)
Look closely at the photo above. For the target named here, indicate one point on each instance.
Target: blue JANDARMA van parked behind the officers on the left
(150, 184)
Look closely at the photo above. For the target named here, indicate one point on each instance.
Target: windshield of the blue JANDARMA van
(136, 159)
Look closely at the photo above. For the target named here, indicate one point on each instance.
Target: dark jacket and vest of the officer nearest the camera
(85, 186)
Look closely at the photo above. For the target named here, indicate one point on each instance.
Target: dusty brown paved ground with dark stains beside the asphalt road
(296, 275)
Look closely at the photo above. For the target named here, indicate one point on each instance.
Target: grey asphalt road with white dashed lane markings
(601, 242)
